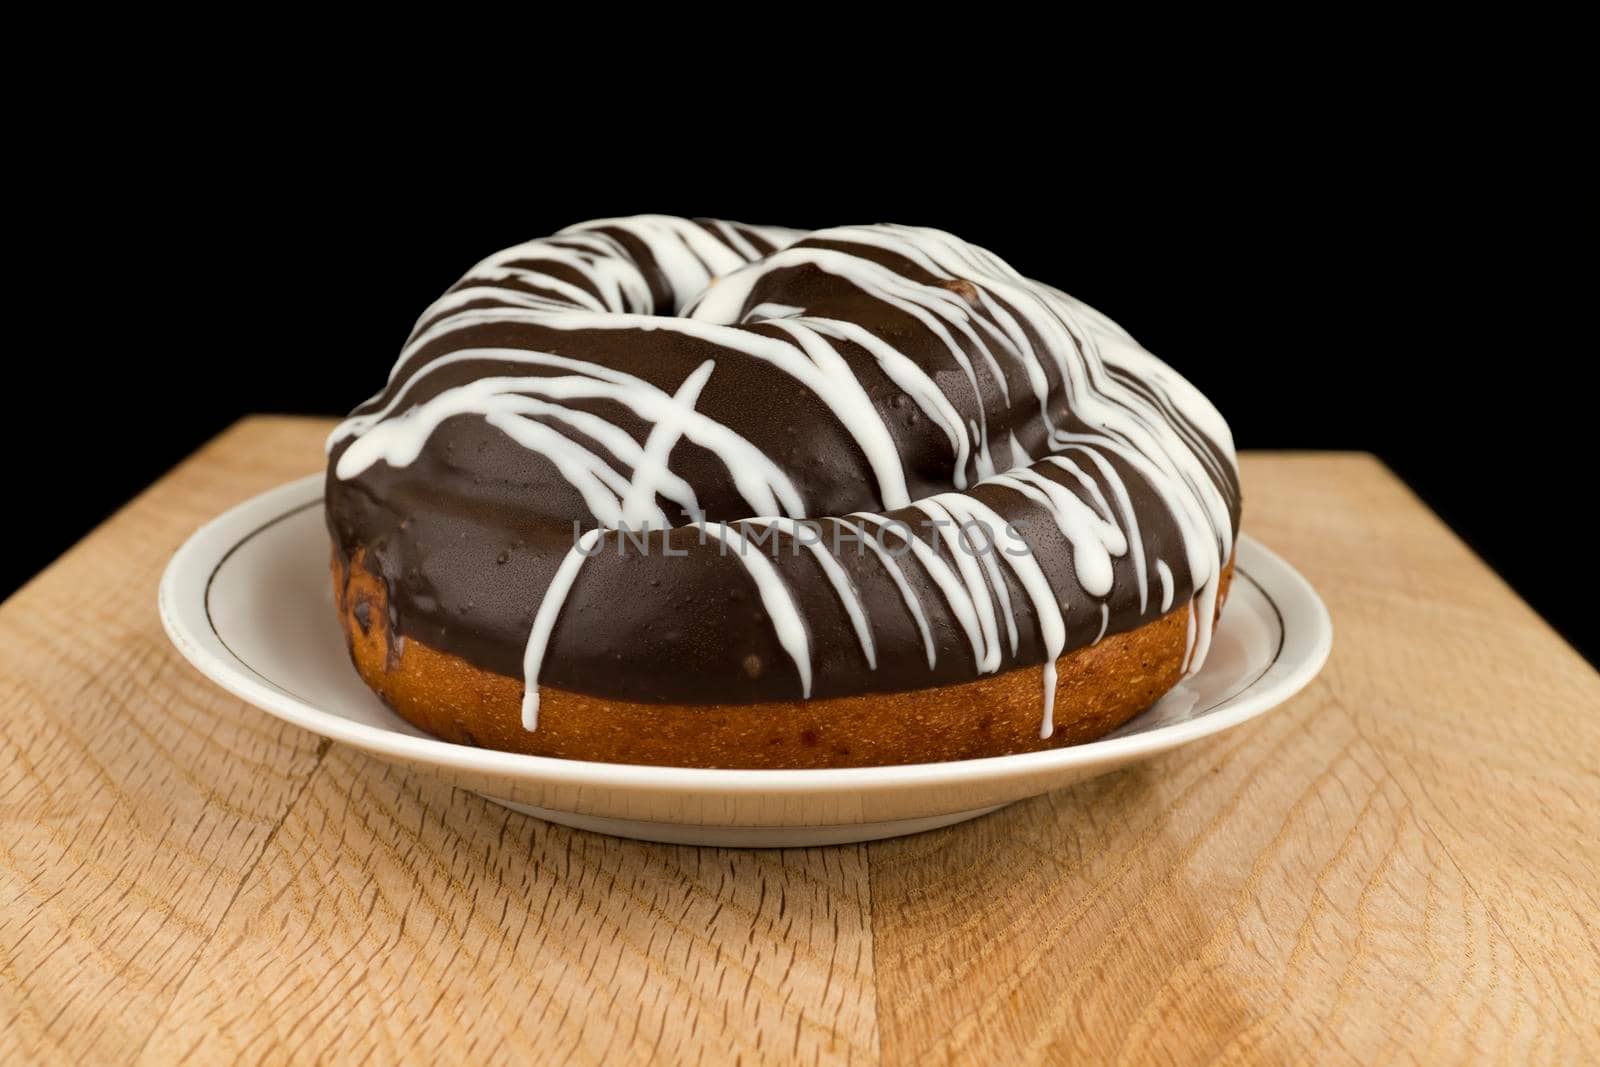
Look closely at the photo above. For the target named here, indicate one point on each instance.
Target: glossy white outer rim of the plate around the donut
(209, 546)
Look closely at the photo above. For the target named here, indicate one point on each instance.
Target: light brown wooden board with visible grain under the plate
(1402, 865)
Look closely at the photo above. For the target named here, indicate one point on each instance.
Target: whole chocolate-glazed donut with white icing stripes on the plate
(698, 494)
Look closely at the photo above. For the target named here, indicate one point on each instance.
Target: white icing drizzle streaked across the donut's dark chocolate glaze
(999, 332)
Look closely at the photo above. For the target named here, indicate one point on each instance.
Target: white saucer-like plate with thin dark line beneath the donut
(250, 604)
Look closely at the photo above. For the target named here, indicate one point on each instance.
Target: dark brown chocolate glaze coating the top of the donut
(470, 533)
